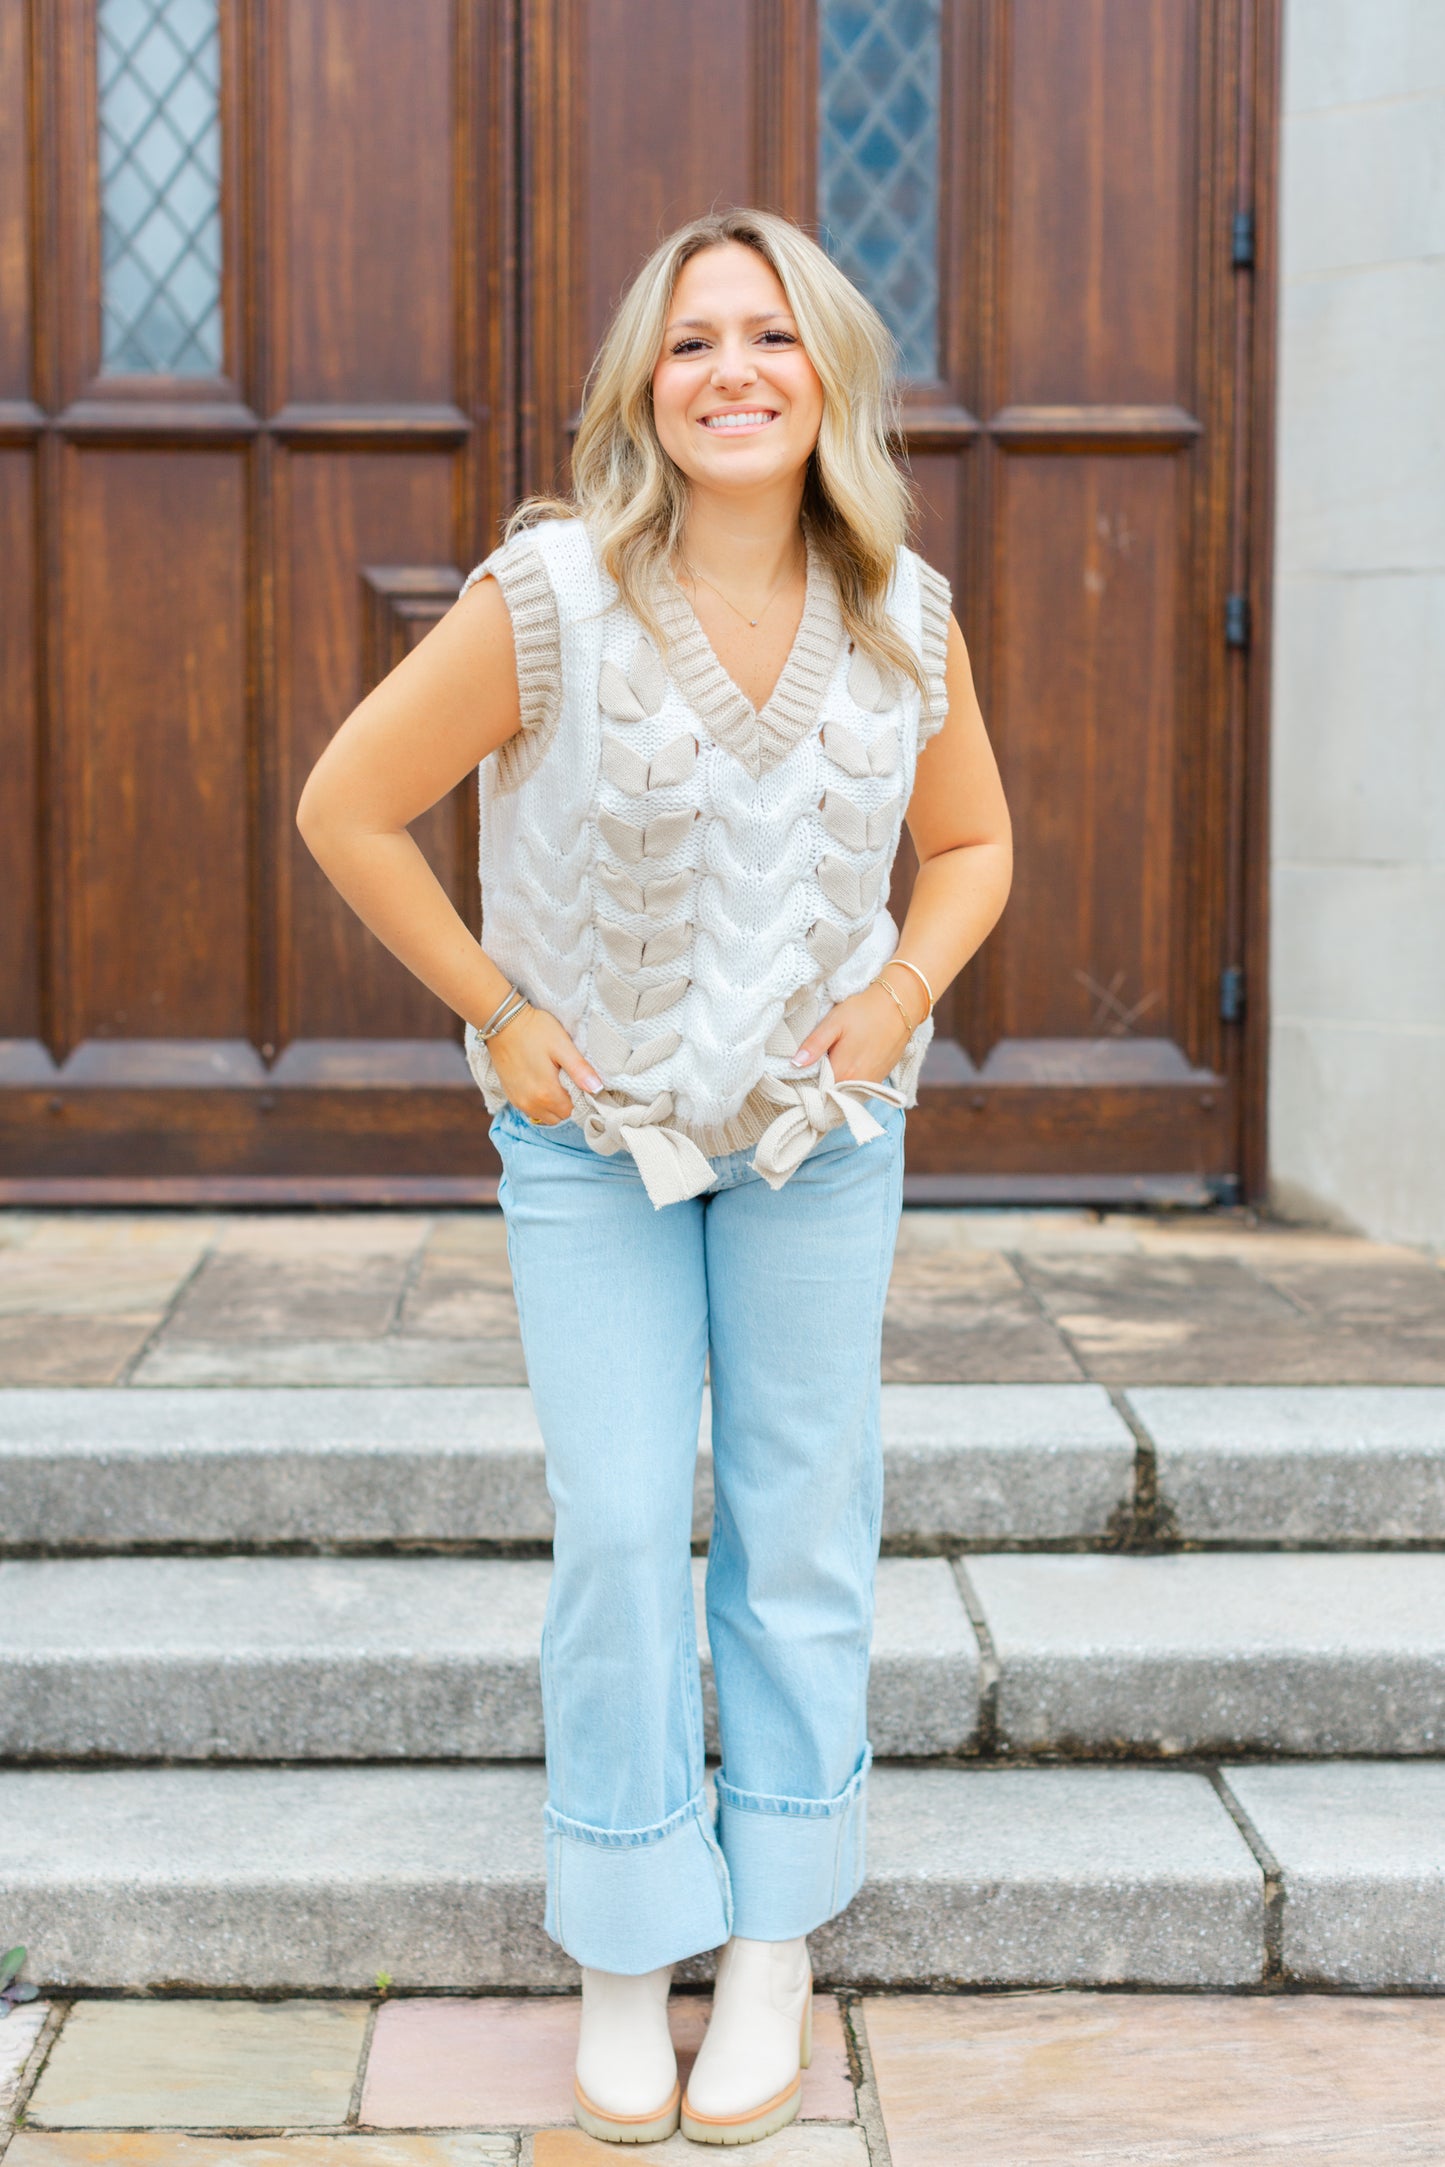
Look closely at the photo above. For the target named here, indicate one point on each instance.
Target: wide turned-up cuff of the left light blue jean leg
(636, 1899)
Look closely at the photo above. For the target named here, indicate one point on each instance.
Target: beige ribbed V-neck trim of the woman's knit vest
(757, 738)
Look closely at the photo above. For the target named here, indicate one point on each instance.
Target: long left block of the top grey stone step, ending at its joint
(114, 1470)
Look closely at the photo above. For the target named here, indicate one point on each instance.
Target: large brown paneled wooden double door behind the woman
(1050, 198)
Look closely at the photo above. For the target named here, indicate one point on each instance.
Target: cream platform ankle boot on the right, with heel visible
(748, 2075)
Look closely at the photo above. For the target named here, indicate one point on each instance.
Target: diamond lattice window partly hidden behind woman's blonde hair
(878, 161)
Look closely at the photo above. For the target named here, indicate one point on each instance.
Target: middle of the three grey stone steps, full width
(376, 1659)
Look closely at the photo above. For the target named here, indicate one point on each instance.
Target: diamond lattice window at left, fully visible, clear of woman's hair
(159, 73)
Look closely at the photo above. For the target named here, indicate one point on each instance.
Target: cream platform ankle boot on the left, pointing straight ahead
(627, 2071)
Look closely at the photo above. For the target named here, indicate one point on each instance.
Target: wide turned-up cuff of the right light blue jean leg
(794, 1863)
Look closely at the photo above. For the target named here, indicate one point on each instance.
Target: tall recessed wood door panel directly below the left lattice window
(155, 749)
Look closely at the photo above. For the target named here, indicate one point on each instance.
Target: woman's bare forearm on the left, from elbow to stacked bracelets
(391, 887)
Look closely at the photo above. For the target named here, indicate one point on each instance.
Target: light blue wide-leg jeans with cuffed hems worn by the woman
(619, 1306)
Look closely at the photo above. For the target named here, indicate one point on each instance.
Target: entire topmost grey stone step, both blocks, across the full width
(967, 1466)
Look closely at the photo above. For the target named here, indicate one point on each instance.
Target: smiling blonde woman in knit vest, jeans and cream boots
(703, 699)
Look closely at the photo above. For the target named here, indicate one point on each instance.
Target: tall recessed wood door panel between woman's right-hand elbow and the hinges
(1084, 716)
